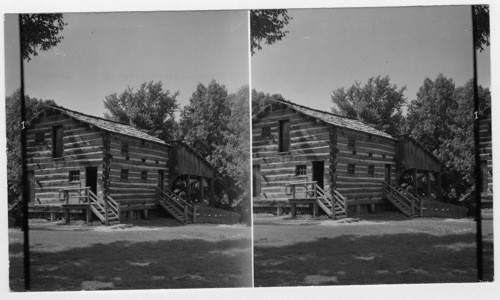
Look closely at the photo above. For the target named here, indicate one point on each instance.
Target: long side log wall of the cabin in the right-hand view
(362, 188)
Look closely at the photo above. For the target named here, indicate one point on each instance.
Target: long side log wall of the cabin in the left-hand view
(142, 156)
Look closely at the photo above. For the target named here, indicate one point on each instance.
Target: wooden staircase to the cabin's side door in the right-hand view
(403, 201)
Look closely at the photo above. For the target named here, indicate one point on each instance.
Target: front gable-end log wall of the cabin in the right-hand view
(309, 141)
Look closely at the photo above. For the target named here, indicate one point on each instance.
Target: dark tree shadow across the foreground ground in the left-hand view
(190, 263)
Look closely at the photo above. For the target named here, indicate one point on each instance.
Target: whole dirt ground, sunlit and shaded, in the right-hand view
(379, 249)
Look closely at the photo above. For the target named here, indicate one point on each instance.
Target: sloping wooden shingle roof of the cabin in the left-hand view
(108, 125)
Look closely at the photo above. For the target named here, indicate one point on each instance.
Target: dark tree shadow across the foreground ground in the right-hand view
(383, 259)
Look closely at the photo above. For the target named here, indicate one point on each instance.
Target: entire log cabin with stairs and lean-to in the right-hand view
(319, 162)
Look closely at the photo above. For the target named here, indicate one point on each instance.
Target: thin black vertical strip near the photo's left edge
(26, 245)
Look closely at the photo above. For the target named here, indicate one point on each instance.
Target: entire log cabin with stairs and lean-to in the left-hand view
(81, 164)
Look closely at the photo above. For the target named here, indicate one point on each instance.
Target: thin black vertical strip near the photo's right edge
(477, 167)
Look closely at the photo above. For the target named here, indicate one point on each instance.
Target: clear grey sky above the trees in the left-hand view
(103, 53)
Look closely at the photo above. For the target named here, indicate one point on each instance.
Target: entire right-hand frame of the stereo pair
(364, 158)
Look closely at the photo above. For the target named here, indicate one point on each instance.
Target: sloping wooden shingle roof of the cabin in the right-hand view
(330, 118)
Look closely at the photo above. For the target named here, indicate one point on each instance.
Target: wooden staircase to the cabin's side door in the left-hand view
(175, 206)
